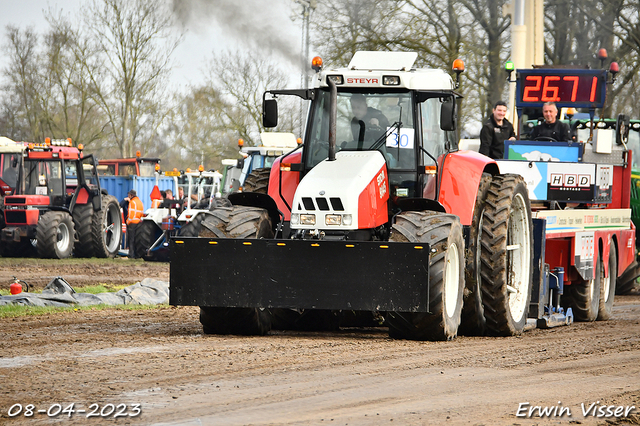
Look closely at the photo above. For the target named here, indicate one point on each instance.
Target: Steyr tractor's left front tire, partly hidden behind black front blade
(236, 222)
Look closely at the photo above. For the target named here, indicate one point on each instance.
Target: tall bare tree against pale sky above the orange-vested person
(136, 42)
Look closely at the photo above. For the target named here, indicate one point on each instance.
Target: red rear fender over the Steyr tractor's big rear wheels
(460, 177)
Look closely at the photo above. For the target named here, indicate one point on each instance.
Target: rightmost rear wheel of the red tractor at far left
(107, 228)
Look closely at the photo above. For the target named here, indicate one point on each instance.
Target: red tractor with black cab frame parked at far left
(58, 208)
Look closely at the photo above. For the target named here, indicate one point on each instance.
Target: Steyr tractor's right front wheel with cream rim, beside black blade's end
(443, 233)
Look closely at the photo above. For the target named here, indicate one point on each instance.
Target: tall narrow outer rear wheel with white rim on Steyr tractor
(507, 256)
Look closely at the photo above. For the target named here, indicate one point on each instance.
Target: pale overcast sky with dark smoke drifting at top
(212, 25)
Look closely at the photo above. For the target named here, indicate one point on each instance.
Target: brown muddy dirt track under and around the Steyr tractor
(160, 360)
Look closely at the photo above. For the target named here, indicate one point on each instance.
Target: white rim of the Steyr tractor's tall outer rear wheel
(518, 257)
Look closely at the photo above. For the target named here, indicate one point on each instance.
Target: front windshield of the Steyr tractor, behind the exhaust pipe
(365, 121)
